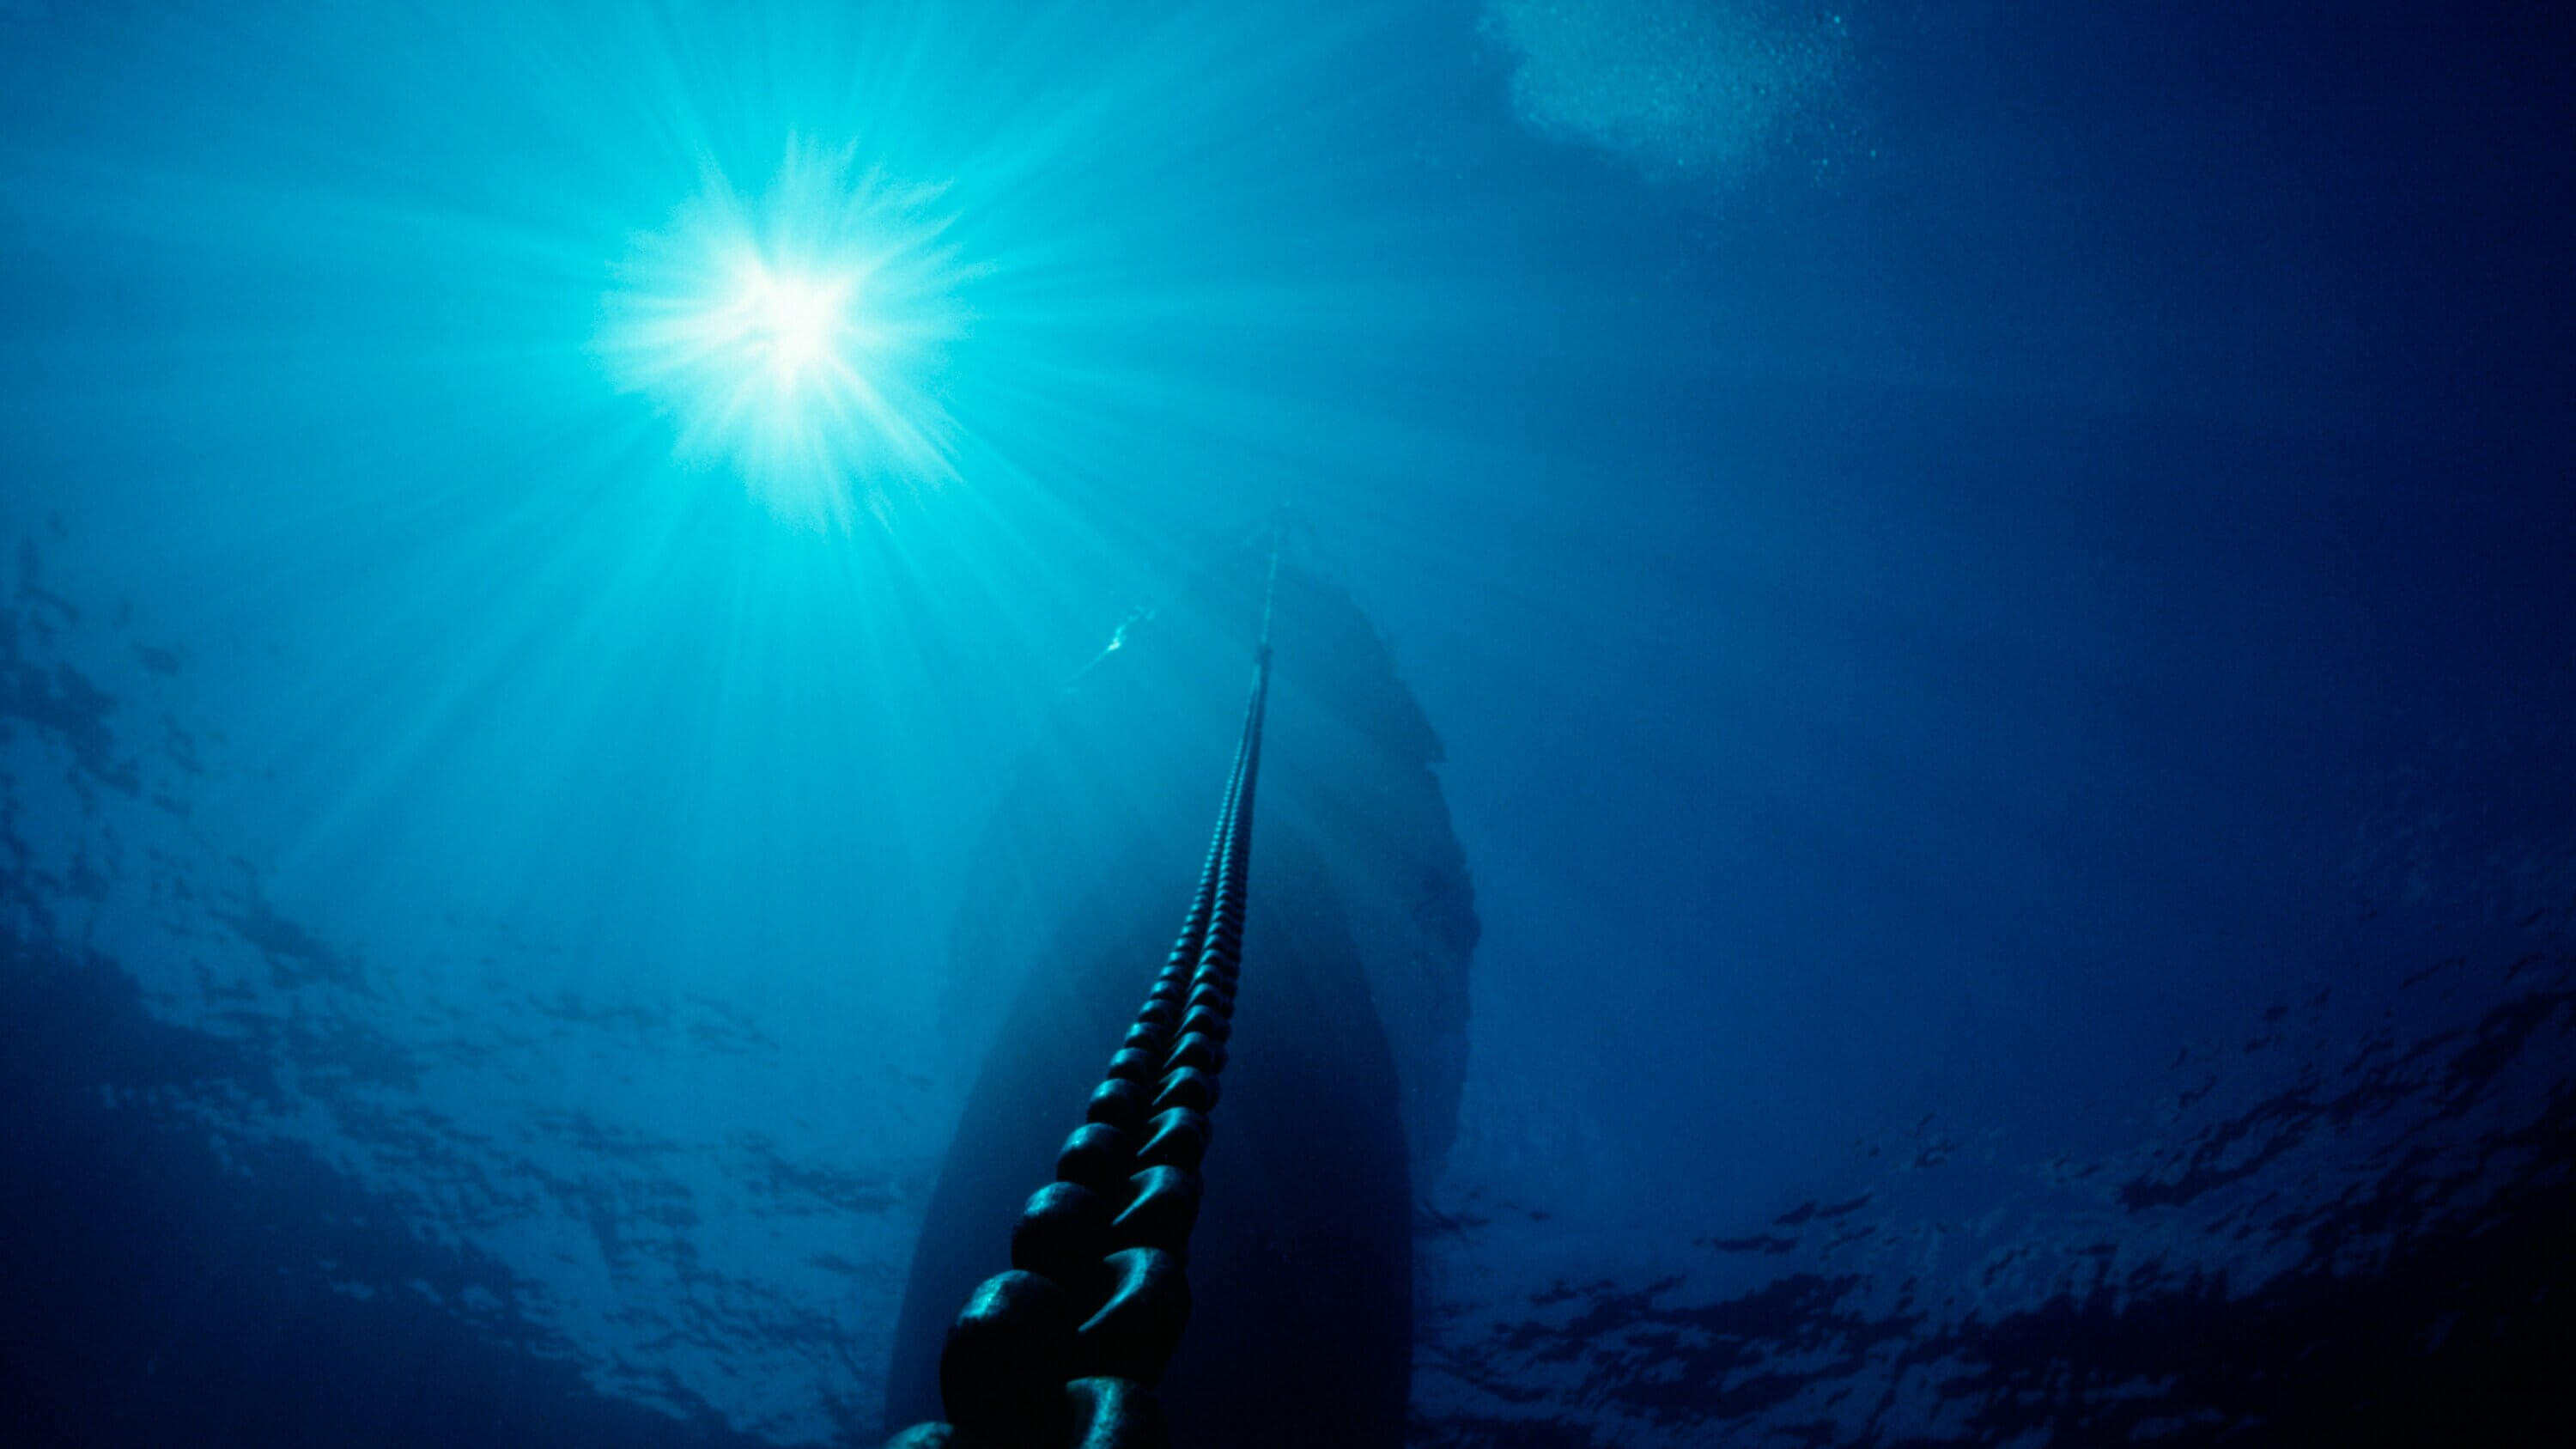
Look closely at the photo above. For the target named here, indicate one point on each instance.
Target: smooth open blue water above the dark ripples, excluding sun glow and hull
(2054, 556)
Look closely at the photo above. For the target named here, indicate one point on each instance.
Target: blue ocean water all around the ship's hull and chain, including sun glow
(1993, 587)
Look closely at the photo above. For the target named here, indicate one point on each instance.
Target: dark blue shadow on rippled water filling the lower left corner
(169, 1288)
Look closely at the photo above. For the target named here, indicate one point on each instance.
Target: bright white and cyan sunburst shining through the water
(797, 336)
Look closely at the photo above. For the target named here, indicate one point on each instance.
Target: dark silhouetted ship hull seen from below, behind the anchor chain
(1349, 1038)
